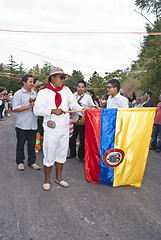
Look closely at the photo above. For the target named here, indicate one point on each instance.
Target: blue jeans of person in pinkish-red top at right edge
(156, 133)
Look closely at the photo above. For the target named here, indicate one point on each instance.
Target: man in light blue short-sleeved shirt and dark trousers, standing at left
(26, 123)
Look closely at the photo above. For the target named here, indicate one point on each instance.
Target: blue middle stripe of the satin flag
(107, 141)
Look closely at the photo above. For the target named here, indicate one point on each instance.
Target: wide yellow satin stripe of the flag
(132, 135)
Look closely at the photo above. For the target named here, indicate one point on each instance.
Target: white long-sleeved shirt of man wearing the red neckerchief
(45, 101)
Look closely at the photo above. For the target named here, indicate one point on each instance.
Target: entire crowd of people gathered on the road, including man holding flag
(41, 119)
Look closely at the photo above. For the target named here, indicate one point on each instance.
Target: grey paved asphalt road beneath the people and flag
(84, 211)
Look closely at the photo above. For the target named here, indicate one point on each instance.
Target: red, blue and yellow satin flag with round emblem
(117, 144)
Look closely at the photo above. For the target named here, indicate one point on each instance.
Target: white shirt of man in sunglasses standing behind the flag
(118, 101)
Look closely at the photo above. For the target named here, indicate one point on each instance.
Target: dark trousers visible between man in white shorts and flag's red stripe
(72, 142)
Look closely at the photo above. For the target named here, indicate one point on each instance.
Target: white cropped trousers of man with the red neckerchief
(55, 146)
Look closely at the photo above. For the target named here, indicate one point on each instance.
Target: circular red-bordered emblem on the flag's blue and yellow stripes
(113, 157)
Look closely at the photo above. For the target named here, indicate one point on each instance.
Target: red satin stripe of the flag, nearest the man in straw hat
(92, 144)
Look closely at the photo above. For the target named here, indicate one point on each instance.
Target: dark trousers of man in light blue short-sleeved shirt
(22, 137)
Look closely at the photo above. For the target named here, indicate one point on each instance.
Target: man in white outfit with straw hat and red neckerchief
(51, 103)
